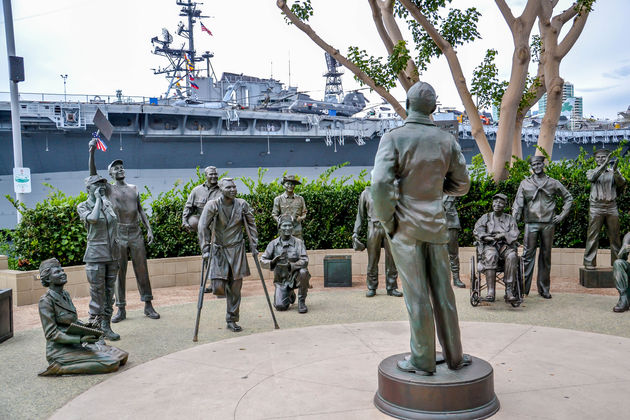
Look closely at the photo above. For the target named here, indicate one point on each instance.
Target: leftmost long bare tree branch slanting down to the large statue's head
(282, 5)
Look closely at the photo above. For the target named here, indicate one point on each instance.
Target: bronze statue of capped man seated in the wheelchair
(496, 233)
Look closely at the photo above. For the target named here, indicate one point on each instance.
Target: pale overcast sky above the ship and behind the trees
(105, 45)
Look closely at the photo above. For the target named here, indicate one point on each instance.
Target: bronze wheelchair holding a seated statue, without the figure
(476, 286)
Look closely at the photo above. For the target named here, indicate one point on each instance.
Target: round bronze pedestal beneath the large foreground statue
(467, 393)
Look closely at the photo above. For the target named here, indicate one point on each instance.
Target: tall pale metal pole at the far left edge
(15, 100)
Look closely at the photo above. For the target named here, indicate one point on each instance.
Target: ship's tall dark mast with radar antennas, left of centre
(179, 68)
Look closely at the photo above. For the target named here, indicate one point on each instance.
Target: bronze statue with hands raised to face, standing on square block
(606, 183)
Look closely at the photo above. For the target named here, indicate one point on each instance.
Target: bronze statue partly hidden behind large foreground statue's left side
(375, 241)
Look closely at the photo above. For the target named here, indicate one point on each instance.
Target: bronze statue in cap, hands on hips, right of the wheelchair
(535, 202)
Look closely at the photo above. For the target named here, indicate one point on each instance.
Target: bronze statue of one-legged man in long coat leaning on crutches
(224, 218)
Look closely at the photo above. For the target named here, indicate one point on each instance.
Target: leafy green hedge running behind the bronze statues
(53, 228)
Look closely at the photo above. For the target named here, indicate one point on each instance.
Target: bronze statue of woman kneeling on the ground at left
(71, 347)
